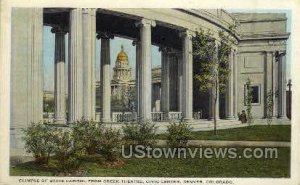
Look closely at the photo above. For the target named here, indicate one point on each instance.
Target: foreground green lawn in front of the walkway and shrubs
(188, 167)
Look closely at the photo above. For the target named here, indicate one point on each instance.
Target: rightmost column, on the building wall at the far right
(282, 86)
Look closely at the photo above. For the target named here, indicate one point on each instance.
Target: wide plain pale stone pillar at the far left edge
(26, 79)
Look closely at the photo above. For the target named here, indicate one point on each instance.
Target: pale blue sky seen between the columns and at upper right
(115, 47)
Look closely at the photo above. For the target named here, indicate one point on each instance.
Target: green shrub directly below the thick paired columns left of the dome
(88, 133)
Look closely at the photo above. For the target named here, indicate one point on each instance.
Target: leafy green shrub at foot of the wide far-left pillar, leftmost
(40, 140)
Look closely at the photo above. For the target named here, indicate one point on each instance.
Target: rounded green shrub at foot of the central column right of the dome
(142, 133)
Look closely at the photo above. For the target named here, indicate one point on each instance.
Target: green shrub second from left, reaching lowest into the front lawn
(68, 152)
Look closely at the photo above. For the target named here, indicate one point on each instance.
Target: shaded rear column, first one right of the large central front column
(165, 81)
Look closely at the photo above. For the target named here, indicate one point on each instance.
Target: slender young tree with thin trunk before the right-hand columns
(212, 61)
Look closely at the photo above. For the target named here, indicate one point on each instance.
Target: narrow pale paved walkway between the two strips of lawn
(233, 143)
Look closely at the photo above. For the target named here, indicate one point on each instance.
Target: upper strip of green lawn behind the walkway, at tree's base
(251, 133)
